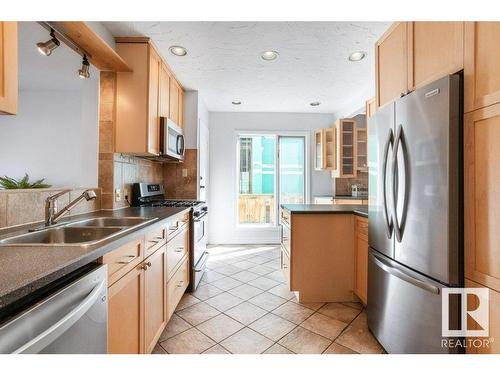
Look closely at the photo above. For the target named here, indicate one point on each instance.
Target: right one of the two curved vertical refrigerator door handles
(397, 225)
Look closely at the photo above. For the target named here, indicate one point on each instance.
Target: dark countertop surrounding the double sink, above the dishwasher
(25, 269)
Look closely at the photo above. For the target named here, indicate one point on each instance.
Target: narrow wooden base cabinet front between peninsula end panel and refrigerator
(361, 258)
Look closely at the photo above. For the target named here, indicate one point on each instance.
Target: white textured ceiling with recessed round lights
(224, 64)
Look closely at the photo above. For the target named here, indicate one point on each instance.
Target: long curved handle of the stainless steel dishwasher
(52, 333)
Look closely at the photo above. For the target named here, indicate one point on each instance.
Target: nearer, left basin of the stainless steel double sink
(62, 236)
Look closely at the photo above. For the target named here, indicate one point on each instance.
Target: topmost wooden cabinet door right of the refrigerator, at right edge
(481, 76)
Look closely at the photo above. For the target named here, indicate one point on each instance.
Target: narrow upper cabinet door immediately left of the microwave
(153, 112)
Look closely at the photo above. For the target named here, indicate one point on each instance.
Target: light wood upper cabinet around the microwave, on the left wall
(144, 95)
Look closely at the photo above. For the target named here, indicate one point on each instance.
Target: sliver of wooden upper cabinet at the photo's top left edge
(8, 68)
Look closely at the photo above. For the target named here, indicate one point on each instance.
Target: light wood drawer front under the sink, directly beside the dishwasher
(123, 259)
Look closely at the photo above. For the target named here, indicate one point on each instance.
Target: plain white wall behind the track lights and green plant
(56, 130)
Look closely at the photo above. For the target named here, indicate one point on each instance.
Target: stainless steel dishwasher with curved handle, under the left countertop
(72, 319)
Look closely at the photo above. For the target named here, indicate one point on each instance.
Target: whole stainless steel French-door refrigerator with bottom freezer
(415, 216)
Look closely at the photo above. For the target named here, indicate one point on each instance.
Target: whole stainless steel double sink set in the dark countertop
(77, 233)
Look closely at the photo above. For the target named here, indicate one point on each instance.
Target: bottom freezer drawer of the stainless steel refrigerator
(404, 310)
